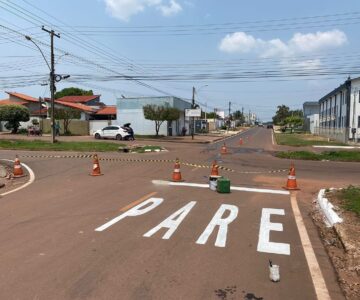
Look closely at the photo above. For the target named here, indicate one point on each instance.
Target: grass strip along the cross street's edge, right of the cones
(326, 155)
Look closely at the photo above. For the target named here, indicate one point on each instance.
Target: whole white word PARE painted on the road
(218, 222)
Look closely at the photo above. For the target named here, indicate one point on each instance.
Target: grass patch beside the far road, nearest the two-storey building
(298, 140)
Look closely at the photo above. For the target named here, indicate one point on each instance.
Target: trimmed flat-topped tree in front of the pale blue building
(159, 114)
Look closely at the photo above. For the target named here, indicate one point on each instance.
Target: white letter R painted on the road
(222, 223)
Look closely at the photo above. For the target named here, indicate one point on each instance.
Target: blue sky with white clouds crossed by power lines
(256, 54)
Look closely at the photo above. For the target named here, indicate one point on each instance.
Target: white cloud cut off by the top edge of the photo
(125, 9)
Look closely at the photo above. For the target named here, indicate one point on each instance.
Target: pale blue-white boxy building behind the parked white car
(130, 110)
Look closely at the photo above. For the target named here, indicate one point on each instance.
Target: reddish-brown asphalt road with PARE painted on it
(170, 242)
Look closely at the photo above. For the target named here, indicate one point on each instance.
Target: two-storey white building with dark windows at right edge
(340, 112)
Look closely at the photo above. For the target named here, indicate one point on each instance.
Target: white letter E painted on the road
(264, 244)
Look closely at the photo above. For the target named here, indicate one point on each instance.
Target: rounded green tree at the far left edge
(14, 114)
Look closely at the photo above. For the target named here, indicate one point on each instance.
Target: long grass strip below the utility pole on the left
(59, 146)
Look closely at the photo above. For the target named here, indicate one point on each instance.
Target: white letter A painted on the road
(173, 221)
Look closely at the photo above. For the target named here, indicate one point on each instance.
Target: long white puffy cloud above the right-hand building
(240, 42)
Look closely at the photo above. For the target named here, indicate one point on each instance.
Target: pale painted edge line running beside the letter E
(314, 268)
